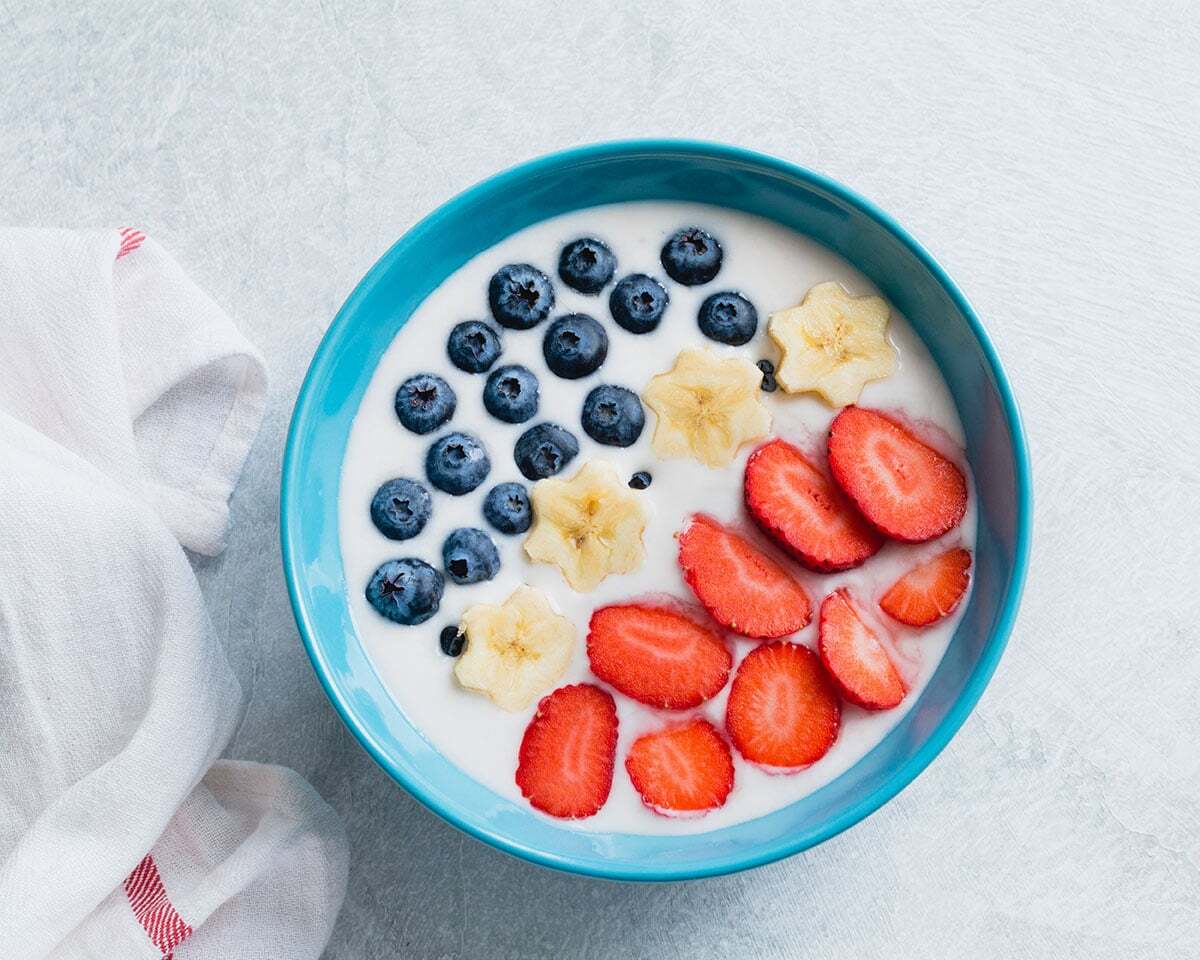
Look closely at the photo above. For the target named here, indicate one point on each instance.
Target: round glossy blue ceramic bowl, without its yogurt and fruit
(637, 171)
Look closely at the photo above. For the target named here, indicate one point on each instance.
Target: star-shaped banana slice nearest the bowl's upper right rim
(833, 344)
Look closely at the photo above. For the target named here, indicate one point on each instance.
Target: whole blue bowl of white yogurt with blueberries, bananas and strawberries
(662, 533)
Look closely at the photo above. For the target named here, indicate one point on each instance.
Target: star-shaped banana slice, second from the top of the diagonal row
(707, 406)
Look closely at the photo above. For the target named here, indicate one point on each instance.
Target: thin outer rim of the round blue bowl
(903, 776)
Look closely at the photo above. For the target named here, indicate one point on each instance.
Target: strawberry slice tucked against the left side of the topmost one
(800, 507)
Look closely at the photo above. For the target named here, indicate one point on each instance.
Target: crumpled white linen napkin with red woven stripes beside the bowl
(128, 405)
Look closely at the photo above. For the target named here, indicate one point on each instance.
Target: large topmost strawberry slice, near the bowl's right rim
(904, 488)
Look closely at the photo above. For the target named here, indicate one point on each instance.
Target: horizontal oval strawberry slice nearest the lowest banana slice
(658, 656)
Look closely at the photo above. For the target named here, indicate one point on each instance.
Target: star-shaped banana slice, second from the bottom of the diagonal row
(590, 526)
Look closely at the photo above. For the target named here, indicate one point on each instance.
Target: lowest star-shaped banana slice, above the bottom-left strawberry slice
(515, 652)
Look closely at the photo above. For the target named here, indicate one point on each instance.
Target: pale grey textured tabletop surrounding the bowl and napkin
(1046, 153)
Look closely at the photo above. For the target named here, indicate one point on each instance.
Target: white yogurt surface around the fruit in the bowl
(773, 267)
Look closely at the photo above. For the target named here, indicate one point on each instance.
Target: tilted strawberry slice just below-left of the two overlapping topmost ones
(740, 586)
